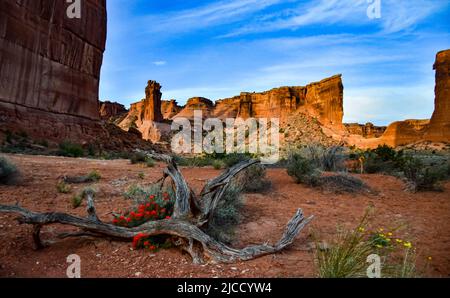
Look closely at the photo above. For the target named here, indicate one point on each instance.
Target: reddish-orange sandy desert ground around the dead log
(426, 217)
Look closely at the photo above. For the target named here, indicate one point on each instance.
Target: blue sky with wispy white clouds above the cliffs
(216, 49)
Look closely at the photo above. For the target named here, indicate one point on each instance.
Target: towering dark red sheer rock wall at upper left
(50, 67)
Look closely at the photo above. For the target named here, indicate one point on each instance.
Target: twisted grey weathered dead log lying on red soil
(191, 214)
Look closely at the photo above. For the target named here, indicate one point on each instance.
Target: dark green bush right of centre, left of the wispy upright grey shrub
(303, 170)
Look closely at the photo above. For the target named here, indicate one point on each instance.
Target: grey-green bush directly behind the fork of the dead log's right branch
(226, 216)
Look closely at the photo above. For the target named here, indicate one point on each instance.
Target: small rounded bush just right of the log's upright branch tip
(254, 179)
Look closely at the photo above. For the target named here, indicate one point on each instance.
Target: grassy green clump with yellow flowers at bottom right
(346, 256)
